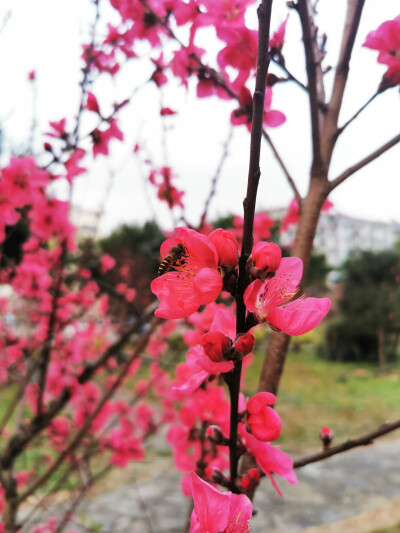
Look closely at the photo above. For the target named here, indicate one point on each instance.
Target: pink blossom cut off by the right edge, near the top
(386, 39)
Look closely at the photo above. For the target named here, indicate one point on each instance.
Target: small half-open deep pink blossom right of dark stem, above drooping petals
(263, 421)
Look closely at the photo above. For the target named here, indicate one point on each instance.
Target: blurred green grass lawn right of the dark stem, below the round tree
(350, 398)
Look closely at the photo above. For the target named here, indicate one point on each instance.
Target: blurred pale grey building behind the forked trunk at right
(339, 236)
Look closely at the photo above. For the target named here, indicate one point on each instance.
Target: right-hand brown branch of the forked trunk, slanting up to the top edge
(353, 16)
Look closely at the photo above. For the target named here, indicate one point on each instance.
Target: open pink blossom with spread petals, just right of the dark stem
(266, 299)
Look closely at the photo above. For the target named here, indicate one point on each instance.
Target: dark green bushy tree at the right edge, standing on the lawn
(369, 325)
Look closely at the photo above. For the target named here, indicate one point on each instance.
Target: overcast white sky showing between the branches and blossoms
(45, 35)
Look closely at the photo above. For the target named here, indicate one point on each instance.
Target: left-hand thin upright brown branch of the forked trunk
(315, 78)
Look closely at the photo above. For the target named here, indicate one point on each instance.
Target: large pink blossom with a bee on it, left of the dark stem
(196, 280)
